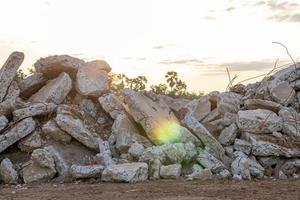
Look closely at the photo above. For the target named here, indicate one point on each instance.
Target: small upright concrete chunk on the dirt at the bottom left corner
(7, 172)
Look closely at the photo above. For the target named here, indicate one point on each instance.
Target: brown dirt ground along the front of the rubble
(163, 190)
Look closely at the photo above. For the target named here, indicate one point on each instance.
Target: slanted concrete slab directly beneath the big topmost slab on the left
(55, 91)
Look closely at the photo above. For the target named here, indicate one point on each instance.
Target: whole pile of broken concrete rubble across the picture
(63, 123)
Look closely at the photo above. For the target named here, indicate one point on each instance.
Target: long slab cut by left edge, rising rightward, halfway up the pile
(17, 132)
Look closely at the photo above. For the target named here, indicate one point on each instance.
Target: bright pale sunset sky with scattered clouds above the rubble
(198, 39)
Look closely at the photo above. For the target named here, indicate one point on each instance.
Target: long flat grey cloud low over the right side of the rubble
(248, 66)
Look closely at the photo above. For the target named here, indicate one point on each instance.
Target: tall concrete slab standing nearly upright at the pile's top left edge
(9, 71)
